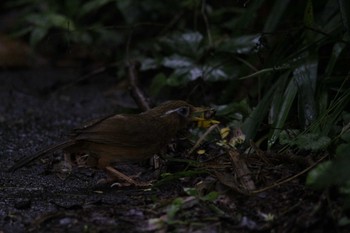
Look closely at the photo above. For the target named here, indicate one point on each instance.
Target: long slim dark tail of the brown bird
(26, 160)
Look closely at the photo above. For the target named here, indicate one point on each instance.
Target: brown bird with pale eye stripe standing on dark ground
(125, 137)
